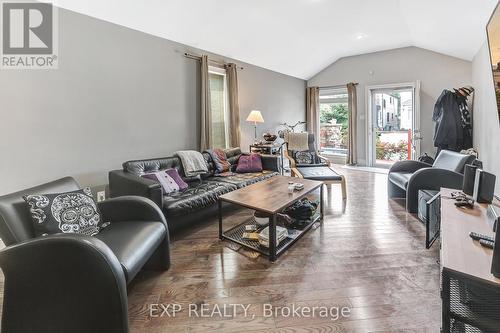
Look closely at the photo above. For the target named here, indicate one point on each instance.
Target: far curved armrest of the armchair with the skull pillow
(131, 208)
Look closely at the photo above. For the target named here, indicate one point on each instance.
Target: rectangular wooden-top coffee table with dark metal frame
(269, 196)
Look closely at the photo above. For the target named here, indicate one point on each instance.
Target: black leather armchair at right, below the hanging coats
(406, 178)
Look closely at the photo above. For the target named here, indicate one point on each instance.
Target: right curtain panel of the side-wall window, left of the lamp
(234, 107)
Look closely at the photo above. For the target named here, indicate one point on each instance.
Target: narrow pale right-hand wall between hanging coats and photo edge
(486, 124)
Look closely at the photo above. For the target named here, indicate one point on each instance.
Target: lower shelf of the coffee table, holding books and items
(235, 234)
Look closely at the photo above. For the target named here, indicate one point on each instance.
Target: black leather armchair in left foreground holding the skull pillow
(71, 282)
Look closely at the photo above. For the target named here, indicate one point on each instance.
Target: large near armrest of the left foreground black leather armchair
(74, 283)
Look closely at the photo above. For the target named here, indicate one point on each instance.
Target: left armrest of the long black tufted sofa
(123, 183)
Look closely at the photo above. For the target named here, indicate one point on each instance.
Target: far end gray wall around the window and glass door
(435, 71)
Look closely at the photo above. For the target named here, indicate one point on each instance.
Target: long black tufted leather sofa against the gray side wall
(184, 208)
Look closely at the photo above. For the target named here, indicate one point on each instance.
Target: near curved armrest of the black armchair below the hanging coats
(430, 179)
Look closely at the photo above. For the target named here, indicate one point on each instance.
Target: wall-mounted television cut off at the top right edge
(493, 32)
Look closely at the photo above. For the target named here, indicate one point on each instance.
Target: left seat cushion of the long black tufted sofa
(200, 194)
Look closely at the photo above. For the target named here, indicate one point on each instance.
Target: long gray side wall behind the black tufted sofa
(118, 94)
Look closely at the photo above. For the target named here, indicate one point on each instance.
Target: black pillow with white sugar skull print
(69, 212)
